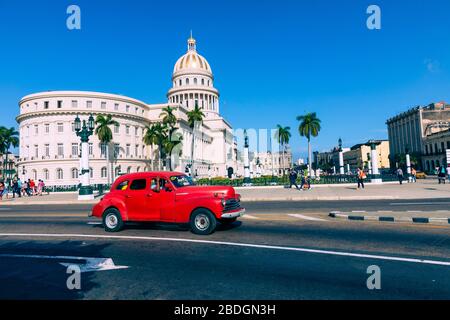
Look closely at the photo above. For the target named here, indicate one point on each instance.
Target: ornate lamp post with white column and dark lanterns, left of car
(84, 132)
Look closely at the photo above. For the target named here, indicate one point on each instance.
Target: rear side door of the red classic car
(141, 203)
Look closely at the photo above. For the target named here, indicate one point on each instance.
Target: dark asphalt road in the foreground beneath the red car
(282, 258)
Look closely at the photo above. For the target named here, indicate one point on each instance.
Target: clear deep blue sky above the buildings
(273, 60)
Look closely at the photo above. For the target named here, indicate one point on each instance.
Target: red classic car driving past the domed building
(167, 197)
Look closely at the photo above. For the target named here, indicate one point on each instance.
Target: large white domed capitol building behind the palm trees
(50, 149)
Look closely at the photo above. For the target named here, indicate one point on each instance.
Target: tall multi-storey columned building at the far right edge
(408, 130)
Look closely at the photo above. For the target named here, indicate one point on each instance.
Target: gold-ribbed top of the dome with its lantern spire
(192, 62)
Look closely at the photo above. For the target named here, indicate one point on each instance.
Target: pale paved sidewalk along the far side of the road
(423, 189)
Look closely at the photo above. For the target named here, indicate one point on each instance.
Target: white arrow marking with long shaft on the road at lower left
(91, 264)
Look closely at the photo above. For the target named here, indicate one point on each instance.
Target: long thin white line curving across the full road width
(232, 244)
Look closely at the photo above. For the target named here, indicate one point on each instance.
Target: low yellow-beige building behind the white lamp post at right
(359, 156)
